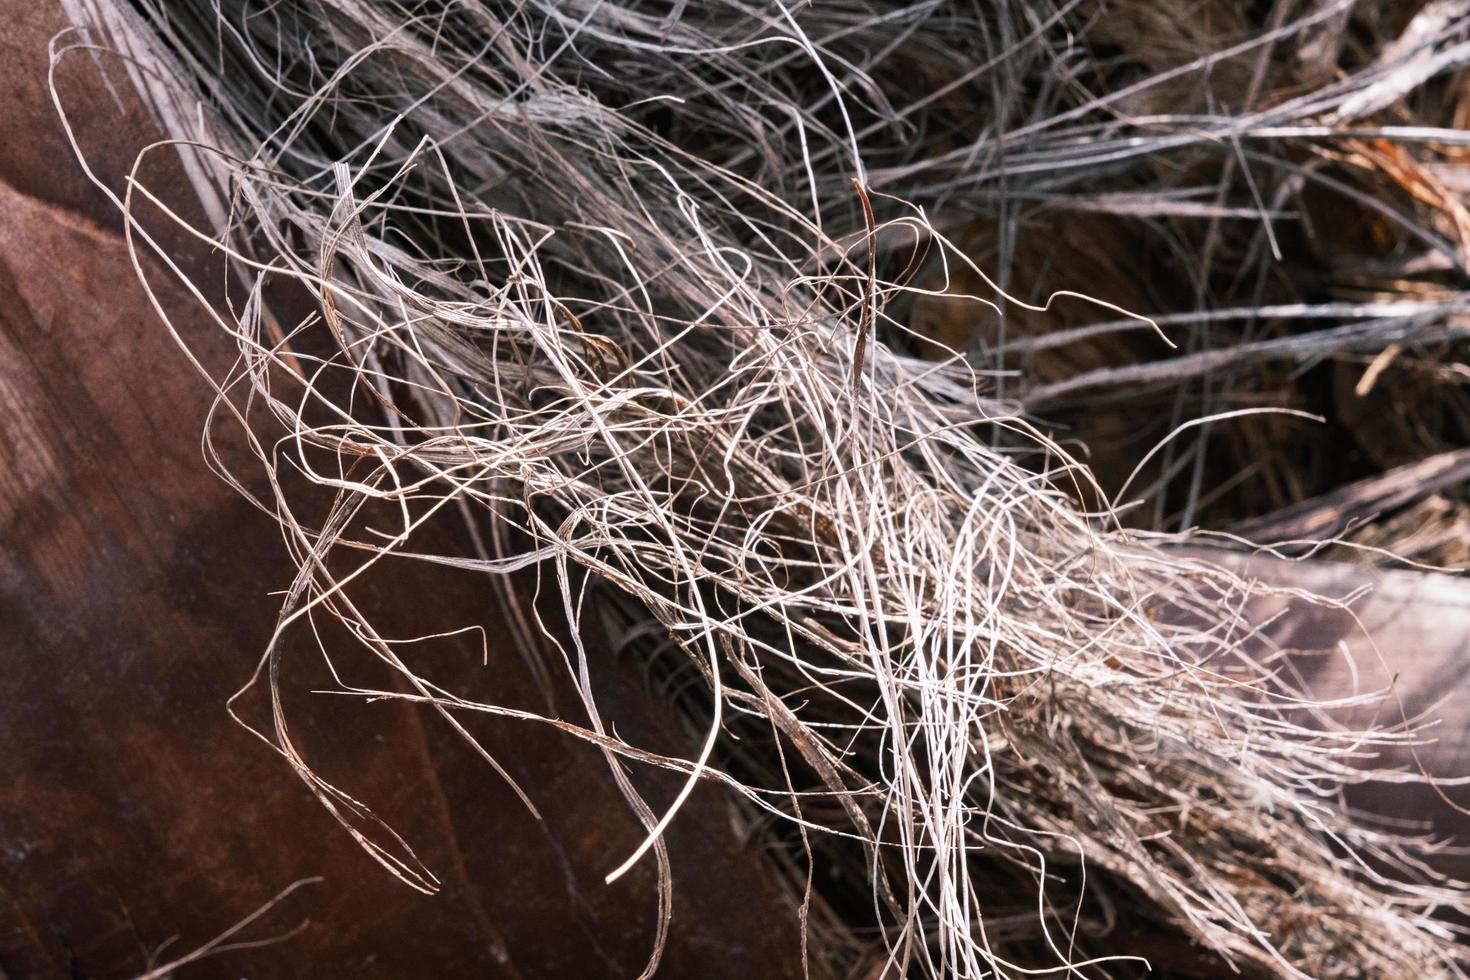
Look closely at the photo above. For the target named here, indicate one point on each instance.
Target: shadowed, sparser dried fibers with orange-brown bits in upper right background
(1311, 256)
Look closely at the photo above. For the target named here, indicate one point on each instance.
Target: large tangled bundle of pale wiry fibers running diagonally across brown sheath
(621, 289)
